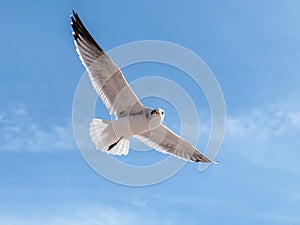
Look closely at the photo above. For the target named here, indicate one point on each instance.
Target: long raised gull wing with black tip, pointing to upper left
(107, 79)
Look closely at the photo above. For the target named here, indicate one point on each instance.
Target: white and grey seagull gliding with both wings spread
(132, 118)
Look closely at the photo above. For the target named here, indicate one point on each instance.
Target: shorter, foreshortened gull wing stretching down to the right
(164, 140)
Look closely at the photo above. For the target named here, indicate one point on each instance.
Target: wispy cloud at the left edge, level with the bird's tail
(21, 132)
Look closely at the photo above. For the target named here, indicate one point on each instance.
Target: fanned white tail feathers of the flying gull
(105, 139)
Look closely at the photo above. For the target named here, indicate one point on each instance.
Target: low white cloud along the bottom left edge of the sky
(89, 215)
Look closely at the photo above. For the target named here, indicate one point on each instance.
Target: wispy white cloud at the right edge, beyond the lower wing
(266, 136)
